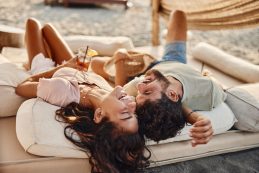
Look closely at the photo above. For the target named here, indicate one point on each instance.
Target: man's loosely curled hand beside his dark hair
(202, 131)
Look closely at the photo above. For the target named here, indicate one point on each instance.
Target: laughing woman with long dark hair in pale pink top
(103, 118)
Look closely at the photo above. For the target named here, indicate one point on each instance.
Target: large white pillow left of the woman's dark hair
(40, 133)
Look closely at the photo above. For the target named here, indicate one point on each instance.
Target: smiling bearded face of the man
(151, 87)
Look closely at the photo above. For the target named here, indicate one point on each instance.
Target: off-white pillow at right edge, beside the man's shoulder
(244, 102)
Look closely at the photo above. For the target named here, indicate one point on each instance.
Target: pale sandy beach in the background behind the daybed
(114, 20)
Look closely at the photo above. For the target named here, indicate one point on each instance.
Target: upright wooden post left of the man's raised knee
(155, 22)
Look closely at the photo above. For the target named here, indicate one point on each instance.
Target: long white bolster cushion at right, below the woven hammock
(226, 63)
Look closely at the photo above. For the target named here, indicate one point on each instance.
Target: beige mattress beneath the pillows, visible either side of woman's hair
(13, 156)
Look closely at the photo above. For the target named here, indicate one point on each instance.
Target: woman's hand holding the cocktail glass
(76, 63)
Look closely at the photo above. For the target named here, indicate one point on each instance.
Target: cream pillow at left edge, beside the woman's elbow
(10, 76)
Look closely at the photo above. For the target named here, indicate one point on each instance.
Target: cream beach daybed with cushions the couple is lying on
(33, 141)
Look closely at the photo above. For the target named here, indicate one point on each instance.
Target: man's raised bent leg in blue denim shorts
(175, 49)
